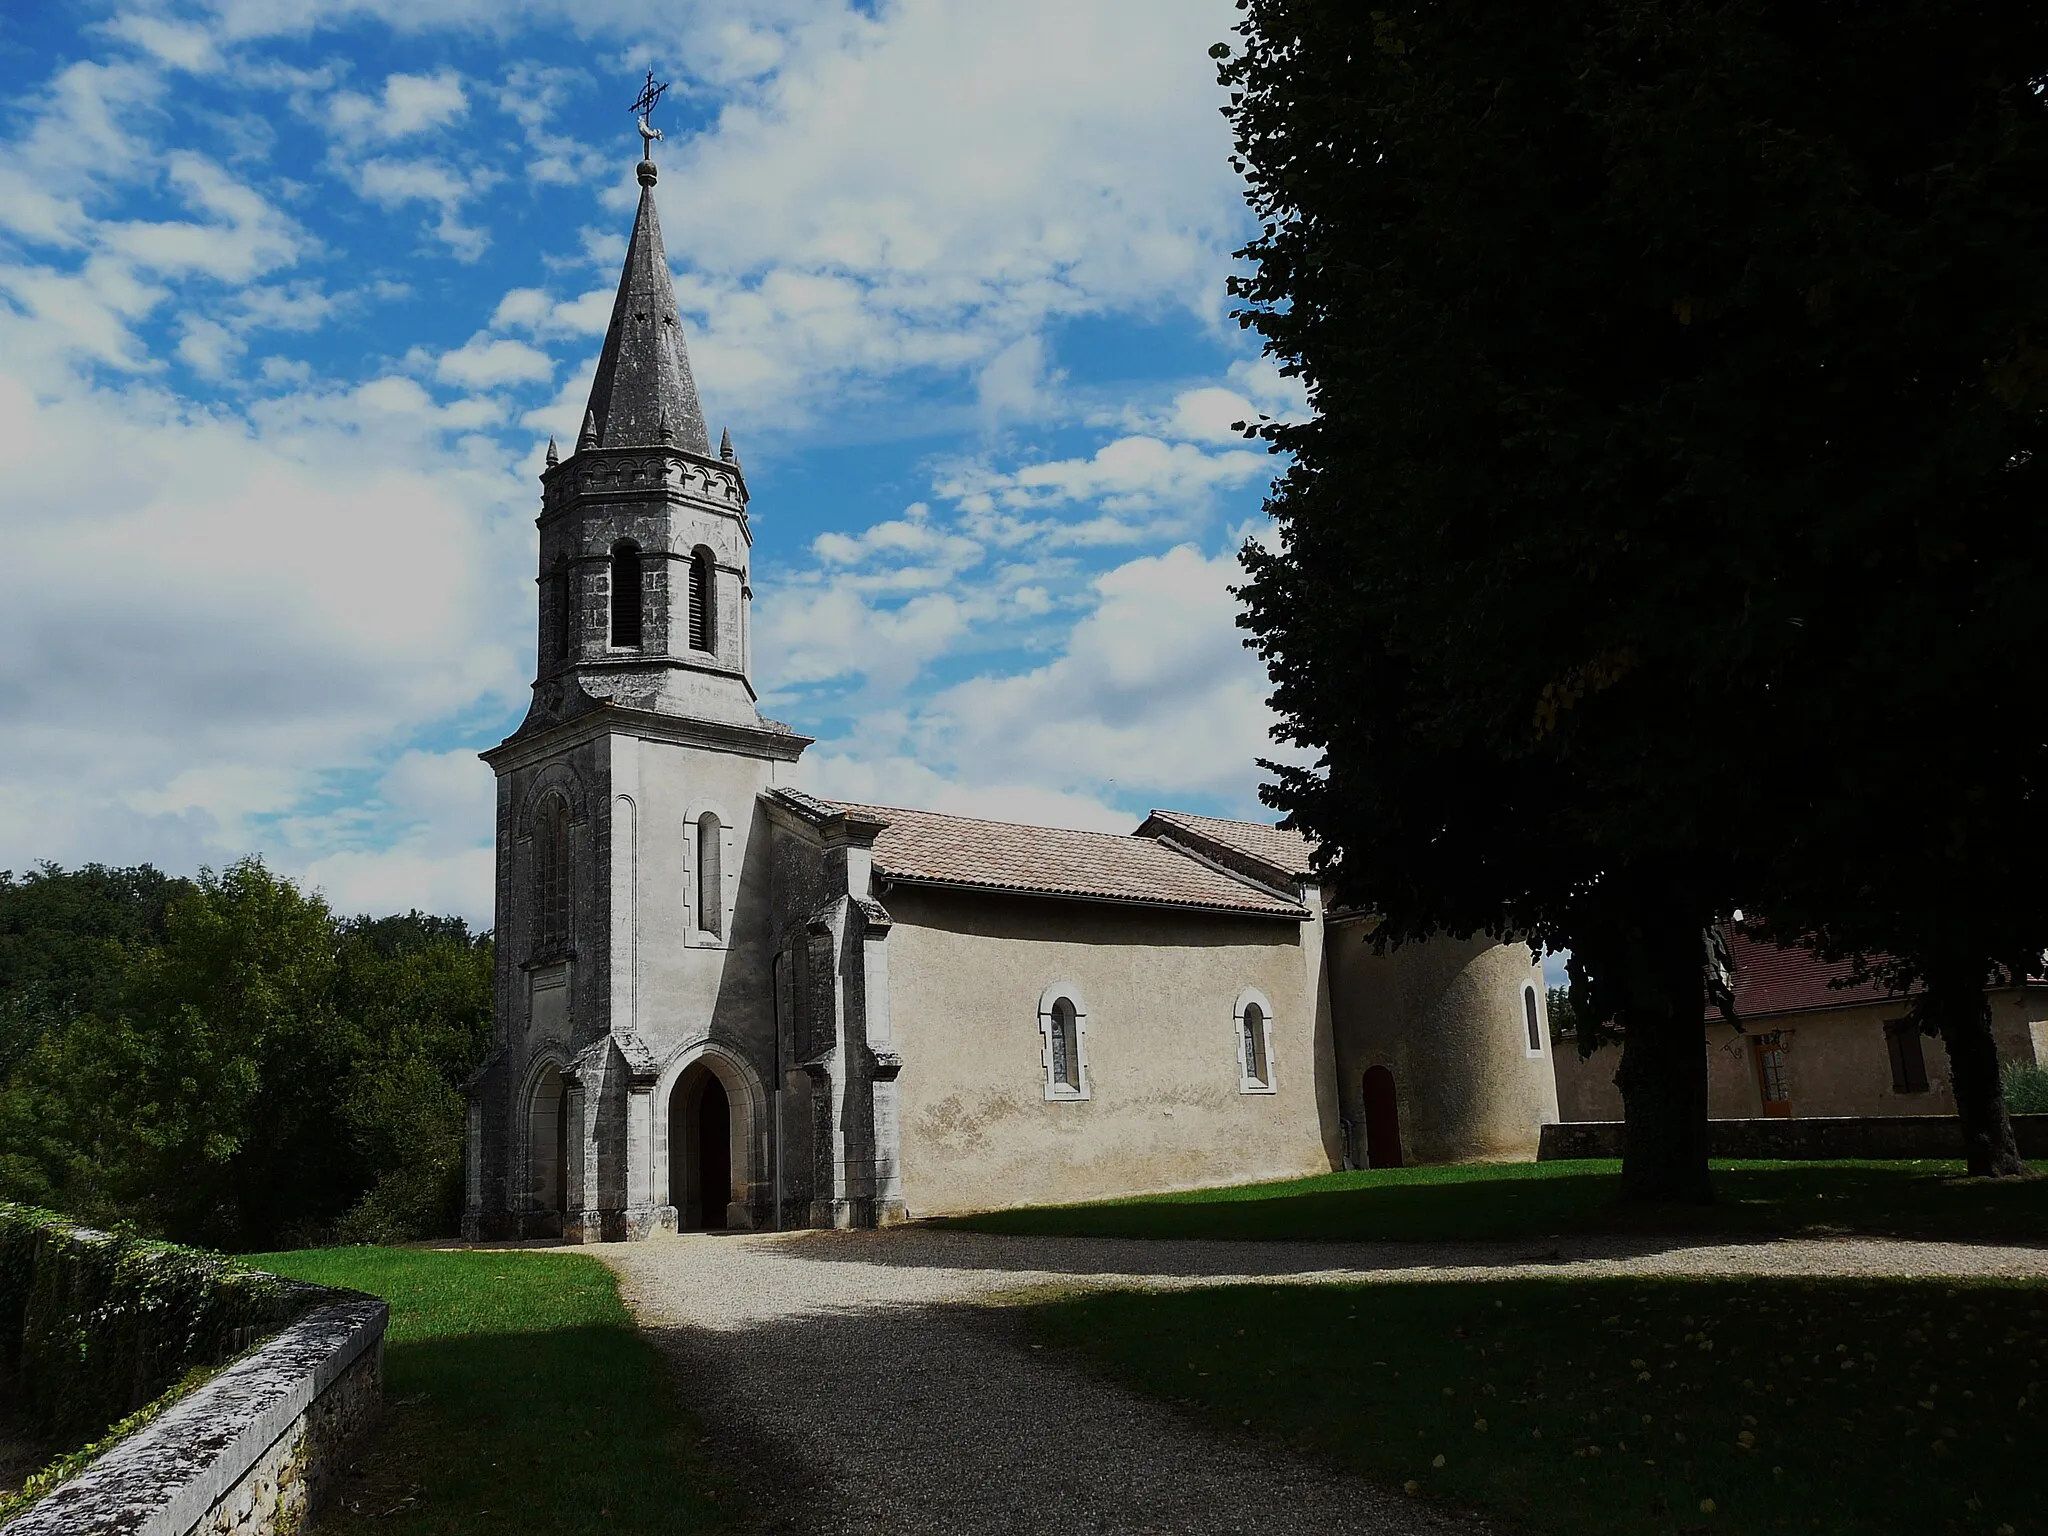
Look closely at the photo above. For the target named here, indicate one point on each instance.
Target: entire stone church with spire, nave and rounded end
(726, 1002)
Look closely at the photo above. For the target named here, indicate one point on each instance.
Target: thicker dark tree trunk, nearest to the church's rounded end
(1664, 1068)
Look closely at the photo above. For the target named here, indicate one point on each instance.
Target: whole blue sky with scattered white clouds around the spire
(292, 296)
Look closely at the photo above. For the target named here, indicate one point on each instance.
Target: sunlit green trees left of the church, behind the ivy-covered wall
(241, 1068)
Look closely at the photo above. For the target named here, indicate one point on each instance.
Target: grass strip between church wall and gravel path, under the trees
(1568, 1197)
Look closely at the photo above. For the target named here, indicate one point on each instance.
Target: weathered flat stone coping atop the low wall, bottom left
(171, 1474)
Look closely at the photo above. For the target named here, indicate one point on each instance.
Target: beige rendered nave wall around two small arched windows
(968, 974)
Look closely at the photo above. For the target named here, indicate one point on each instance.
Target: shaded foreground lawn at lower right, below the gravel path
(1619, 1406)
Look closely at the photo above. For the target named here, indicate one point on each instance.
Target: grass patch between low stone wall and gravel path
(517, 1400)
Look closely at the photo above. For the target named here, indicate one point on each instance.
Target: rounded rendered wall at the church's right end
(1449, 1021)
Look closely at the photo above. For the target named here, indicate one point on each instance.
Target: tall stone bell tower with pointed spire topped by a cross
(634, 994)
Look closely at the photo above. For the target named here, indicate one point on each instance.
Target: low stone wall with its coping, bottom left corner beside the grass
(247, 1455)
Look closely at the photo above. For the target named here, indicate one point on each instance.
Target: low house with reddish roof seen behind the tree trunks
(1811, 1048)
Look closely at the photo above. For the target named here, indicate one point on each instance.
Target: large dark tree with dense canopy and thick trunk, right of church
(1676, 382)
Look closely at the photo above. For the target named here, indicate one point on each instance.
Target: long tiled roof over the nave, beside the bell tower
(1054, 861)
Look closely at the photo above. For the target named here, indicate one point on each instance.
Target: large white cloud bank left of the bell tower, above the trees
(251, 607)
